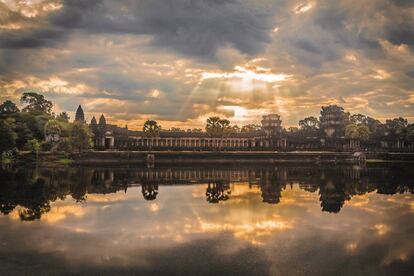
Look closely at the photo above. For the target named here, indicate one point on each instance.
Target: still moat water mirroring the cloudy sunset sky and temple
(244, 220)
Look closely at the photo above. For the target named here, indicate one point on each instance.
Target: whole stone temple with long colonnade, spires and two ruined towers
(270, 136)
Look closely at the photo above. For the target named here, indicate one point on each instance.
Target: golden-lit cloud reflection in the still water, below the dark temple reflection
(120, 229)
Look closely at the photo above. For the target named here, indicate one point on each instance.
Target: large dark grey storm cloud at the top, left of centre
(196, 28)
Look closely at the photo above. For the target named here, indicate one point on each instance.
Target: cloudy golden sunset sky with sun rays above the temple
(181, 61)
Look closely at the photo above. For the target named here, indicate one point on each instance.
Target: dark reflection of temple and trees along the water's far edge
(34, 190)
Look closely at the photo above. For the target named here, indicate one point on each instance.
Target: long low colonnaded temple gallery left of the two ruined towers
(107, 136)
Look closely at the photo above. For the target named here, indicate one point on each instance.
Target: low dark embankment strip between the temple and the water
(110, 158)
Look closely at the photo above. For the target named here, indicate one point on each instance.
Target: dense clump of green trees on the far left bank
(28, 128)
